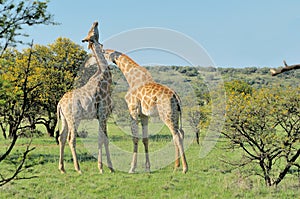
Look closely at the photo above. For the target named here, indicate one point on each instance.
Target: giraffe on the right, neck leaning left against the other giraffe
(144, 98)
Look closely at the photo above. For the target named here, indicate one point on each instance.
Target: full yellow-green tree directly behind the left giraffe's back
(58, 65)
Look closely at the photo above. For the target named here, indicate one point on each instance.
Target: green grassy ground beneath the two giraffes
(207, 177)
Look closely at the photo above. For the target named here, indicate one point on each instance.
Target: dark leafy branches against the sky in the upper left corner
(15, 15)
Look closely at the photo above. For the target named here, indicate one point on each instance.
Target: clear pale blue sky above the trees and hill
(234, 33)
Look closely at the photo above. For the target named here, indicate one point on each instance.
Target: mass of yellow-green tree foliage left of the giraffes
(49, 74)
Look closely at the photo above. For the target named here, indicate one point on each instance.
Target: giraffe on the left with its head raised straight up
(91, 101)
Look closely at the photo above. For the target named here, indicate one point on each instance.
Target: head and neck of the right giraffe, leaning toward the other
(135, 75)
